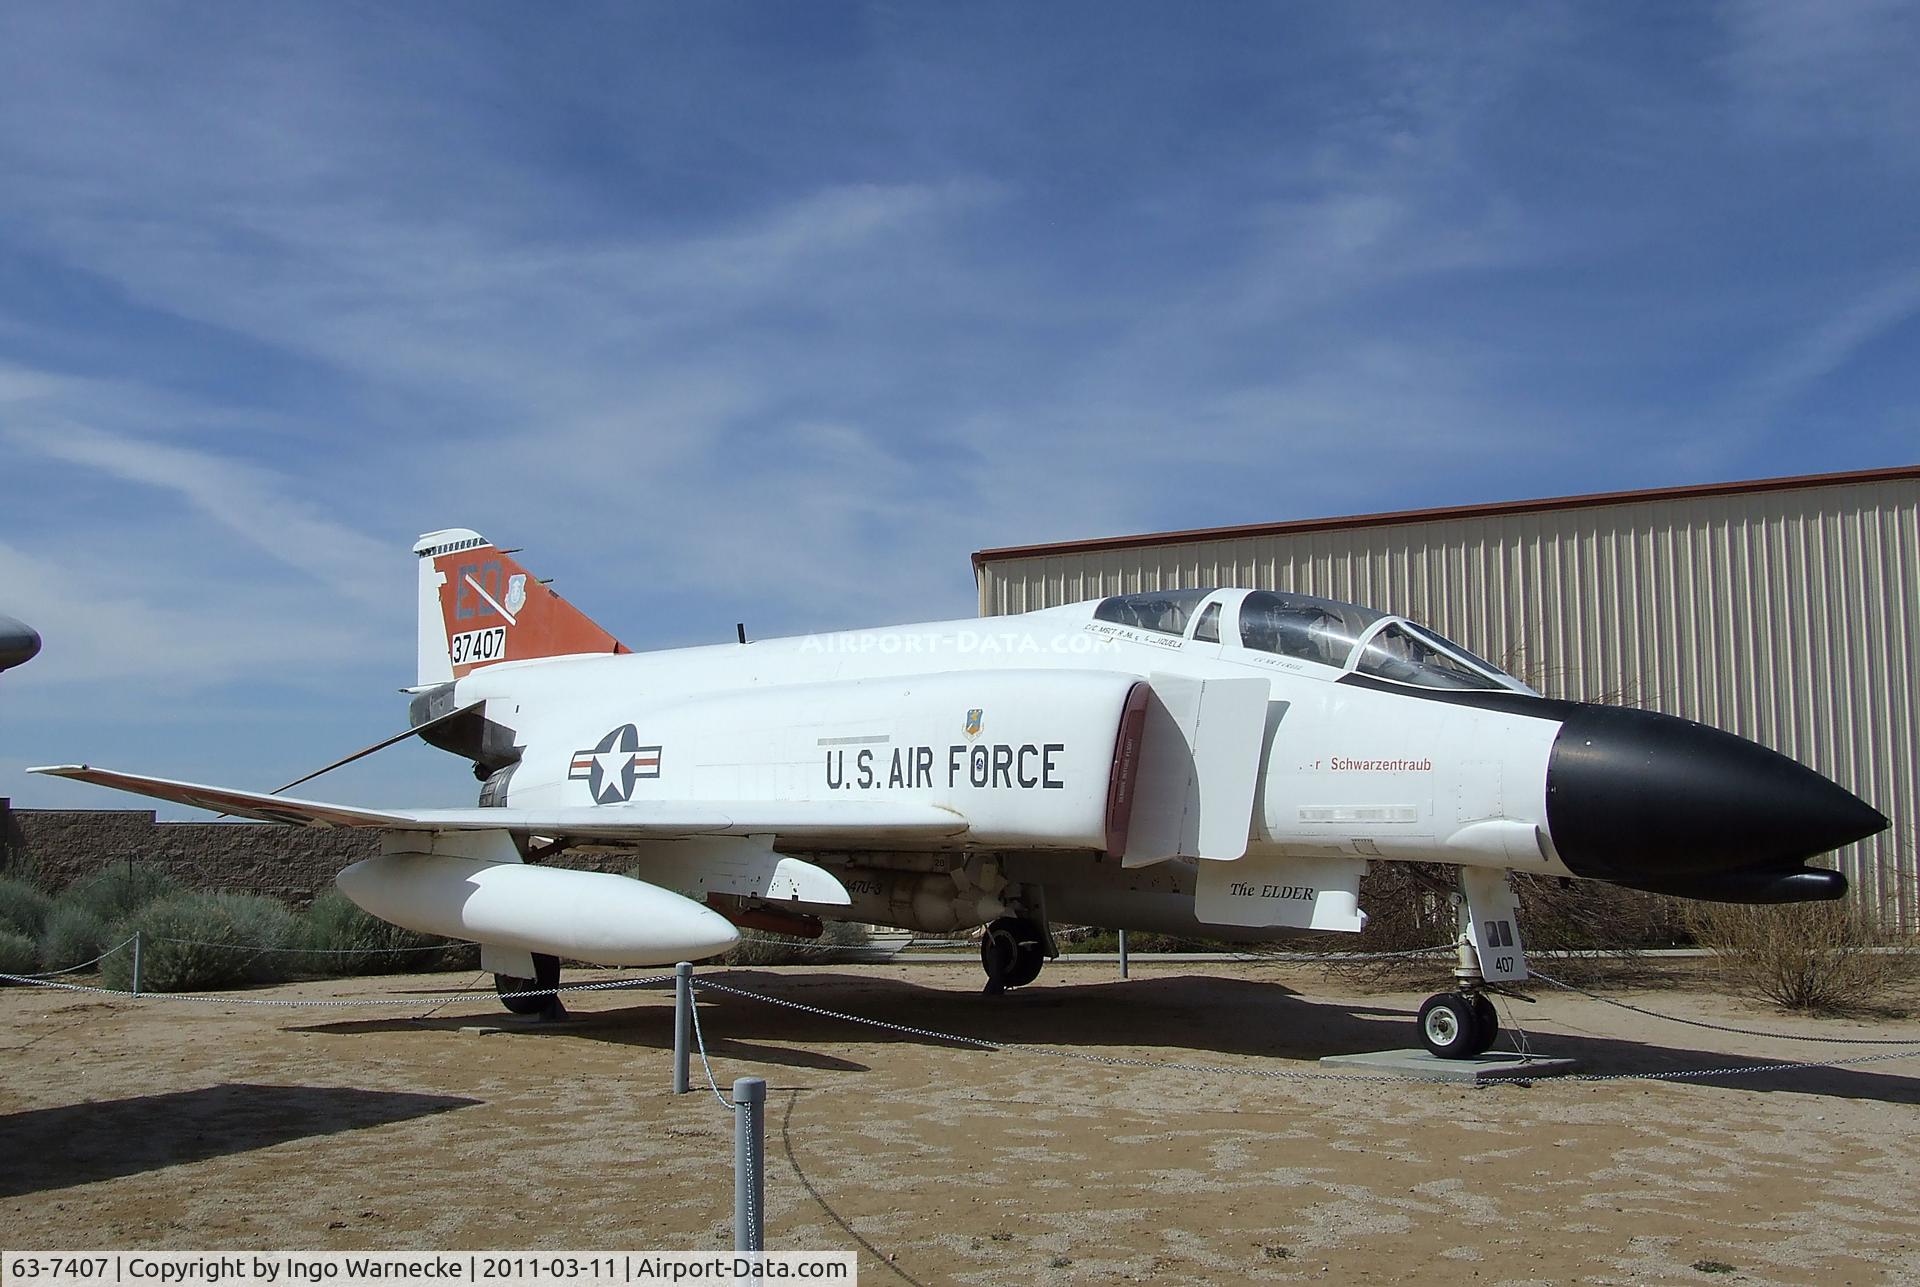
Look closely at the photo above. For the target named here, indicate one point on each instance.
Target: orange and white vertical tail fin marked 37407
(481, 608)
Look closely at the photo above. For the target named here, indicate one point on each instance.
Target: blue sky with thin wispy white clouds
(777, 312)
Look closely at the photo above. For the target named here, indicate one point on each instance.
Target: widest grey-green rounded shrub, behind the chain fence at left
(204, 940)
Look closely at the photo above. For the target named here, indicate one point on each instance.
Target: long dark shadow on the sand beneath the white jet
(1180, 1019)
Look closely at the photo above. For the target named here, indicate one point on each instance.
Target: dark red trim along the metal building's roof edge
(1451, 512)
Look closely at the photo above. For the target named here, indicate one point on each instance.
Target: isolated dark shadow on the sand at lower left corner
(107, 1140)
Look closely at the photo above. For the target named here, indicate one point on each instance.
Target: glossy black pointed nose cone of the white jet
(1664, 804)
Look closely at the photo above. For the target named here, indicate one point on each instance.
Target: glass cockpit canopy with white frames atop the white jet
(1328, 633)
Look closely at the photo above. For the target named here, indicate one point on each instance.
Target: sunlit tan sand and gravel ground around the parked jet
(218, 1127)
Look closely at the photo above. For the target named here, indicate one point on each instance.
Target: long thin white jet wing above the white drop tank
(859, 823)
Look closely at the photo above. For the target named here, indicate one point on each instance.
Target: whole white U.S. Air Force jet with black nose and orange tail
(1218, 764)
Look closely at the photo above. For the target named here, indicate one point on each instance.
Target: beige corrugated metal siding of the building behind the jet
(1788, 618)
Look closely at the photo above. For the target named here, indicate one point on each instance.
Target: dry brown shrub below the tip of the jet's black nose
(1800, 956)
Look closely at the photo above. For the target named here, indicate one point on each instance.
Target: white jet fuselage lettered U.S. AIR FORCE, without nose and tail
(1013, 725)
